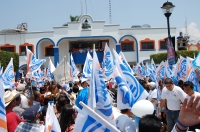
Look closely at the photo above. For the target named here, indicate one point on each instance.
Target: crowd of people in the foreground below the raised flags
(174, 107)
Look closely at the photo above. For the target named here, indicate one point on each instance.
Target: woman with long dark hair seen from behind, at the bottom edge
(67, 119)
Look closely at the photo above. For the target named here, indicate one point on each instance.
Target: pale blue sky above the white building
(43, 15)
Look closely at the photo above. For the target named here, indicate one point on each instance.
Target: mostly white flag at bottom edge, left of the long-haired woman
(51, 122)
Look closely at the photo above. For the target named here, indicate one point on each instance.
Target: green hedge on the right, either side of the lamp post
(158, 58)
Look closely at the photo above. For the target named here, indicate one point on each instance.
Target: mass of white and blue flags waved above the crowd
(99, 101)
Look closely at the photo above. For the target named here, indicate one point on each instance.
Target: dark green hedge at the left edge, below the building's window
(5, 59)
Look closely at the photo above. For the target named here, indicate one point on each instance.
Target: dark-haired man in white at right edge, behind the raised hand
(188, 89)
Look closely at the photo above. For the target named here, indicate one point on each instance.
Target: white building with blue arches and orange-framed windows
(137, 43)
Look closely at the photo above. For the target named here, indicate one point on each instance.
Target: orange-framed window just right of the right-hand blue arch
(147, 44)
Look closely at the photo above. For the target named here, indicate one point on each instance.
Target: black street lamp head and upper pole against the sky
(167, 9)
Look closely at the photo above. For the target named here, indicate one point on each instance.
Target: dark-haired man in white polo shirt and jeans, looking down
(174, 96)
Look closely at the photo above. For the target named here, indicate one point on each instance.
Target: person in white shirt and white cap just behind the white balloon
(153, 95)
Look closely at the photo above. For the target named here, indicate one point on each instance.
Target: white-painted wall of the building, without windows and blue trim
(74, 29)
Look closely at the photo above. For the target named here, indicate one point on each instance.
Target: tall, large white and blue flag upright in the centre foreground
(98, 90)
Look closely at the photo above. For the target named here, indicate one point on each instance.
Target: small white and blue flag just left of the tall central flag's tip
(87, 69)
